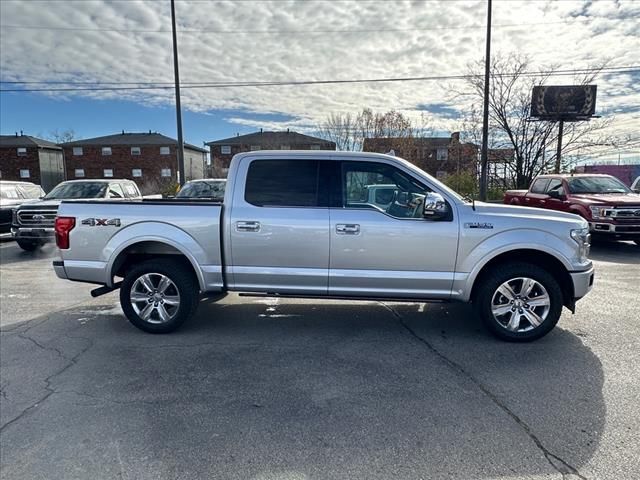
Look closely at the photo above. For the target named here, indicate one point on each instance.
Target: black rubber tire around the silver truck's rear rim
(184, 281)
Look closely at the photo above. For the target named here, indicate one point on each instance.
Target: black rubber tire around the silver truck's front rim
(488, 287)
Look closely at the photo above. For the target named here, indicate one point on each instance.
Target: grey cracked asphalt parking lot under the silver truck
(292, 390)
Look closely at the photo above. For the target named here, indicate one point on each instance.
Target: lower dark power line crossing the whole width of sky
(170, 85)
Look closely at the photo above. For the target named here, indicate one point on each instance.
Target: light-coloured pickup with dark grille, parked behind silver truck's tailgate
(33, 223)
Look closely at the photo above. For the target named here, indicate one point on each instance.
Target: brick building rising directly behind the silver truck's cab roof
(222, 151)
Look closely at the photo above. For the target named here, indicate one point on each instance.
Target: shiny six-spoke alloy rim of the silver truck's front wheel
(520, 304)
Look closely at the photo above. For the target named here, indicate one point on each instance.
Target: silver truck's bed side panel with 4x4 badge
(104, 230)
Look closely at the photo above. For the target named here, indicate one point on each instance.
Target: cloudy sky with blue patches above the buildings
(65, 42)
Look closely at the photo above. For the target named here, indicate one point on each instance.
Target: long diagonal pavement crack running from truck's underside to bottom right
(558, 464)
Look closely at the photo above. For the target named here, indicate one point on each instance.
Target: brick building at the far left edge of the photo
(30, 159)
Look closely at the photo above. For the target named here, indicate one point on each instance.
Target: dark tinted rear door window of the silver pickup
(284, 183)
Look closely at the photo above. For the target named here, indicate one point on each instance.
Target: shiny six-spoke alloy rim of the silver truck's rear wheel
(155, 298)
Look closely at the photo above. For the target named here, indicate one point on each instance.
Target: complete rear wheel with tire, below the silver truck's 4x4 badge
(159, 295)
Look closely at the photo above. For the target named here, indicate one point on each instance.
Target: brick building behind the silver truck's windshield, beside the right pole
(438, 156)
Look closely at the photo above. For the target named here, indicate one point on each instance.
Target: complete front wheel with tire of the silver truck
(519, 302)
